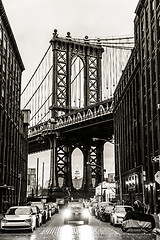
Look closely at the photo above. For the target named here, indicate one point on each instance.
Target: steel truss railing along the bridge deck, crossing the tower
(77, 116)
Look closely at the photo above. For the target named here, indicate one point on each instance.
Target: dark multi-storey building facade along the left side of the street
(13, 122)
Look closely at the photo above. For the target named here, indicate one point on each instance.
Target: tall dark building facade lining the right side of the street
(137, 112)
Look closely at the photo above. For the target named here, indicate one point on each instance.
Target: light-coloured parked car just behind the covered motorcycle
(118, 213)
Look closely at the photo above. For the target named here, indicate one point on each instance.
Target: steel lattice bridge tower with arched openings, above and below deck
(70, 94)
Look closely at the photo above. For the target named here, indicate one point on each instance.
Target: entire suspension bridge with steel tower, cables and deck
(70, 96)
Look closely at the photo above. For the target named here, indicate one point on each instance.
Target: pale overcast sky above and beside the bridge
(33, 22)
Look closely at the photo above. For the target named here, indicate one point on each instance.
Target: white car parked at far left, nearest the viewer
(19, 218)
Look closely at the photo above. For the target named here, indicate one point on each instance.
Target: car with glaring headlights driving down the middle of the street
(76, 212)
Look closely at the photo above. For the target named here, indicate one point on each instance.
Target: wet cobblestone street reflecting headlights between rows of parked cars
(55, 229)
